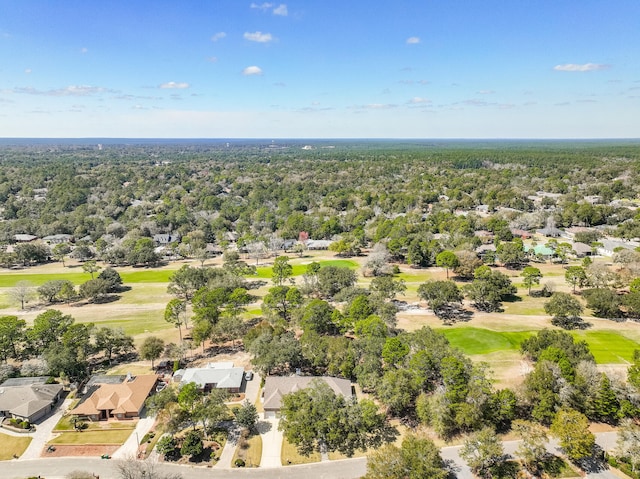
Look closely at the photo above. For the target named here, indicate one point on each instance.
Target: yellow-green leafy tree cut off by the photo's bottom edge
(416, 458)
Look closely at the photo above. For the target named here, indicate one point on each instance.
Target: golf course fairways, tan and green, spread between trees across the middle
(493, 338)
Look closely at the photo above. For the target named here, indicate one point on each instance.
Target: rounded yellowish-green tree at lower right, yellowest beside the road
(572, 429)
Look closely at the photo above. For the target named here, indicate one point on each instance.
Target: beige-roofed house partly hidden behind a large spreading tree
(277, 386)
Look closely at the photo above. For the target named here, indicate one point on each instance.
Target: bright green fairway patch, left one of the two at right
(484, 341)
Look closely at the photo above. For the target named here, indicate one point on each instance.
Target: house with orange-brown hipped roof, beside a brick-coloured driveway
(119, 401)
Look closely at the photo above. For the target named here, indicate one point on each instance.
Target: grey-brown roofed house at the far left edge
(30, 400)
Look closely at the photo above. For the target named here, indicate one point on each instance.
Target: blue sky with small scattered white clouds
(320, 69)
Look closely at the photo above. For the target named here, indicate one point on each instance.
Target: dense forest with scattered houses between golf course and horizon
(257, 191)
